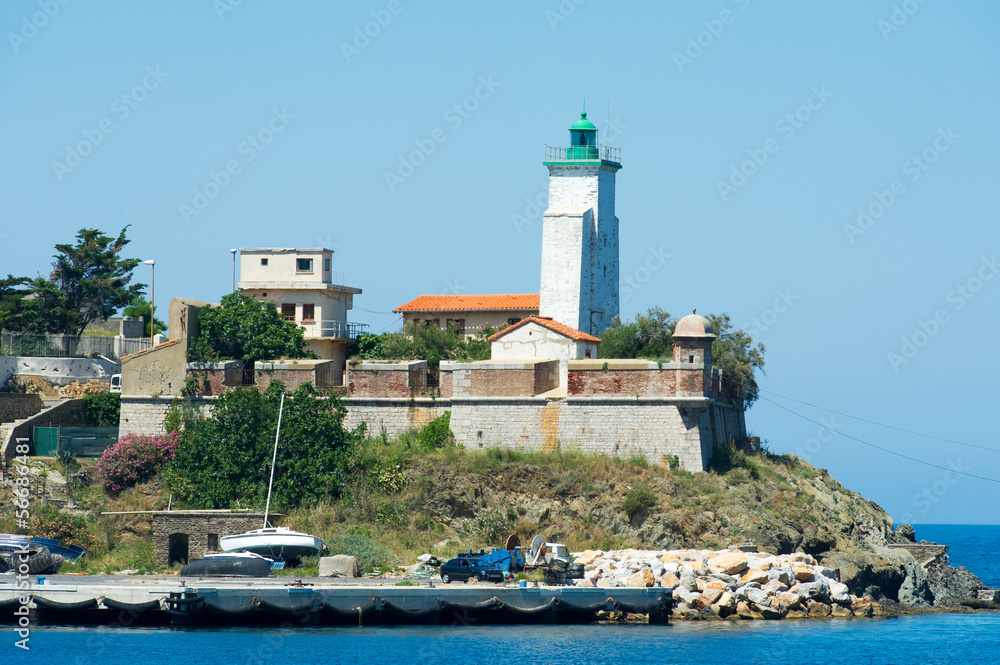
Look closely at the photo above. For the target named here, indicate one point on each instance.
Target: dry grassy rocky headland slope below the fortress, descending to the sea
(786, 506)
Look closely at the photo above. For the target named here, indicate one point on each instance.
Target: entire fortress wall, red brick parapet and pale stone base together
(657, 410)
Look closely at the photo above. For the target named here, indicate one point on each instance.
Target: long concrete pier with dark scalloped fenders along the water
(149, 600)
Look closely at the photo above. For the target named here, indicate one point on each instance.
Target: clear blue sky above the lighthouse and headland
(834, 100)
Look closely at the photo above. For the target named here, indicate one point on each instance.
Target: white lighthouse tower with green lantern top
(579, 285)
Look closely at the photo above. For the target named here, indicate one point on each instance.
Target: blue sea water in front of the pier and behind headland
(906, 640)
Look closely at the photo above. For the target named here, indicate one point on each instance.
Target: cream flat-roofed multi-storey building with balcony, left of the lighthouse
(301, 282)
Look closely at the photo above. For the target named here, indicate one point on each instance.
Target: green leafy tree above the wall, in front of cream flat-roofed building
(242, 328)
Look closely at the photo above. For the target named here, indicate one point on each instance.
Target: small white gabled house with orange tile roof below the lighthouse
(541, 338)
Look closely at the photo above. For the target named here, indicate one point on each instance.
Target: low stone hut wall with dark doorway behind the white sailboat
(198, 526)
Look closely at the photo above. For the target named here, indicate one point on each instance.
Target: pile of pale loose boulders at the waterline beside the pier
(730, 584)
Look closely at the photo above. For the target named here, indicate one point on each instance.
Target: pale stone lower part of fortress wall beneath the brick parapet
(656, 428)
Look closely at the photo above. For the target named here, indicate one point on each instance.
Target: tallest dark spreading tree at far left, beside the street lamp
(93, 277)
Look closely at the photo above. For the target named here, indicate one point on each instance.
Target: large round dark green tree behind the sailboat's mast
(226, 458)
